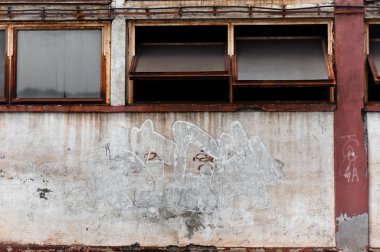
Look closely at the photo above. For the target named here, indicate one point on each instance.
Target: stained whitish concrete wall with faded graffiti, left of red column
(247, 179)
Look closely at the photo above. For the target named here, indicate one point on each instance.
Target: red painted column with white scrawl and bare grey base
(351, 181)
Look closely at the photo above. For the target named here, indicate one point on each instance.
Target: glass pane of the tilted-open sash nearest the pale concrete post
(180, 58)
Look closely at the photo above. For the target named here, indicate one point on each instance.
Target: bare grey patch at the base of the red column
(352, 235)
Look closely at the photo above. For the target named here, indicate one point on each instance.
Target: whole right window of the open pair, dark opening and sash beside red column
(282, 63)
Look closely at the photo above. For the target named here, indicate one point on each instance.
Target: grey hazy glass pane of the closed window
(59, 64)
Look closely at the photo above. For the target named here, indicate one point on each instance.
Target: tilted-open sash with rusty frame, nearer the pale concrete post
(177, 60)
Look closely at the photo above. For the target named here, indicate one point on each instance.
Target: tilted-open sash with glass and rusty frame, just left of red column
(282, 62)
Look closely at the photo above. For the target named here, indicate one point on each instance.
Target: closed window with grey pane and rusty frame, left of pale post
(56, 64)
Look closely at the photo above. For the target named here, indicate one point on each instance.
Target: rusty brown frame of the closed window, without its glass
(10, 84)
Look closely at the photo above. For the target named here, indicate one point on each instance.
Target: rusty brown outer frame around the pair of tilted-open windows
(330, 83)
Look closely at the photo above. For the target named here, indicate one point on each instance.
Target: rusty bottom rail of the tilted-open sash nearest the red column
(284, 83)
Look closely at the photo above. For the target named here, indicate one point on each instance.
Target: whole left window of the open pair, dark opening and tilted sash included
(173, 65)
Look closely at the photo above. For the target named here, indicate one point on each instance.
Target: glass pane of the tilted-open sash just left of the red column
(281, 59)
